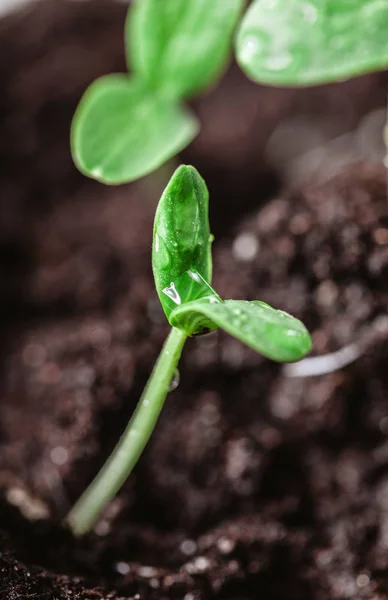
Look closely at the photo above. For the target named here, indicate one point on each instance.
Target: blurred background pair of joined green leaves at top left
(126, 126)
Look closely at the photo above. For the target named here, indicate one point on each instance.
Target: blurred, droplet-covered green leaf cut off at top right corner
(297, 42)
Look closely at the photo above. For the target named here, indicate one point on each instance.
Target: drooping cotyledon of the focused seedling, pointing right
(273, 333)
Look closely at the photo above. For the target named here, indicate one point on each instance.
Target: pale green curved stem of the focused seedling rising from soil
(125, 455)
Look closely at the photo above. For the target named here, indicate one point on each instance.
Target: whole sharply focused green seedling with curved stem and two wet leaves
(182, 267)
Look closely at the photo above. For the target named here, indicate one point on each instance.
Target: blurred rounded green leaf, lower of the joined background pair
(122, 130)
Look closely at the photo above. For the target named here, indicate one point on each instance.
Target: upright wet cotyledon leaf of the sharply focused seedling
(181, 250)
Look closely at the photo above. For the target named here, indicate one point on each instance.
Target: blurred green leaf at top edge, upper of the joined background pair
(180, 46)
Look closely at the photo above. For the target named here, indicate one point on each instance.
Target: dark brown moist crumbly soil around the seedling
(256, 483)
